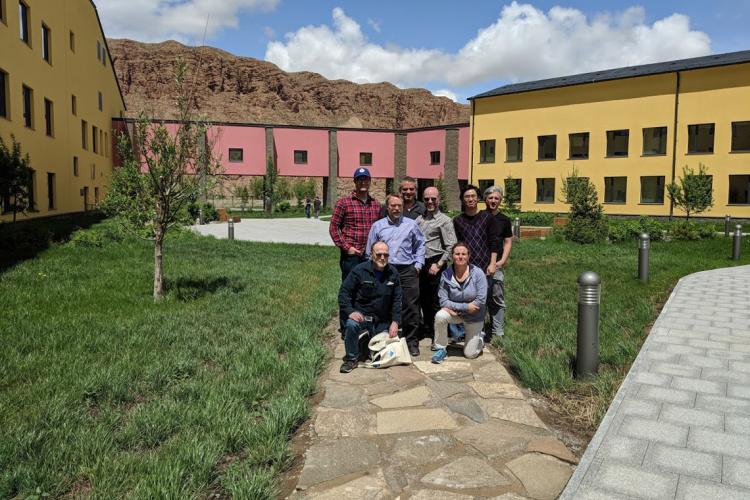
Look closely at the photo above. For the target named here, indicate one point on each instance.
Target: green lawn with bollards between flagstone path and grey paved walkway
(541, 321)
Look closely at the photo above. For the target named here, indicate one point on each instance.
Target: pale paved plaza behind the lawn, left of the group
(301, 231)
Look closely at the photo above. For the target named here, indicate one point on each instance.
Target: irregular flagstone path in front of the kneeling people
(459, 430)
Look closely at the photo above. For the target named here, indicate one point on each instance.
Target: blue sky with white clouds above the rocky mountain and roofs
(455, 49)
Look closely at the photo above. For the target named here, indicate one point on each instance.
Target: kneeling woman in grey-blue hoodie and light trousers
(462, 293)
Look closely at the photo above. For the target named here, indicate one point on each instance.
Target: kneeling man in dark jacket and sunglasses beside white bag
(370, 299)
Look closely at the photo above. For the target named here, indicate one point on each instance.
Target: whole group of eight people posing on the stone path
(410, 270)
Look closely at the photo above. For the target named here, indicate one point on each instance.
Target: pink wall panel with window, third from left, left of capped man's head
(315, 142)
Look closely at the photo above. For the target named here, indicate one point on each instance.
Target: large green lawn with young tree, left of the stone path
(104, 393)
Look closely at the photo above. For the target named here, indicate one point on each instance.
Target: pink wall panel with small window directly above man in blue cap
(382, 145)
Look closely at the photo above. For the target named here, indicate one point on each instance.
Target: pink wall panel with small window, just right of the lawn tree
(252, 141)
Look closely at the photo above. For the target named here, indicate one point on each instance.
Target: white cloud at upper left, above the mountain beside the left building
(183, 20)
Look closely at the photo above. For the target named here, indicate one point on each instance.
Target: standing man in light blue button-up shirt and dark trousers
(406, 244)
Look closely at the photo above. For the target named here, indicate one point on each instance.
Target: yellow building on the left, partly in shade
(58, 95)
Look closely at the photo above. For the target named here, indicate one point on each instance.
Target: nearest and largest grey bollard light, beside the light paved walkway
(589, 296)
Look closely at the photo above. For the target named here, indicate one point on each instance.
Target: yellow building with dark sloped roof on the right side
(630, 131)
